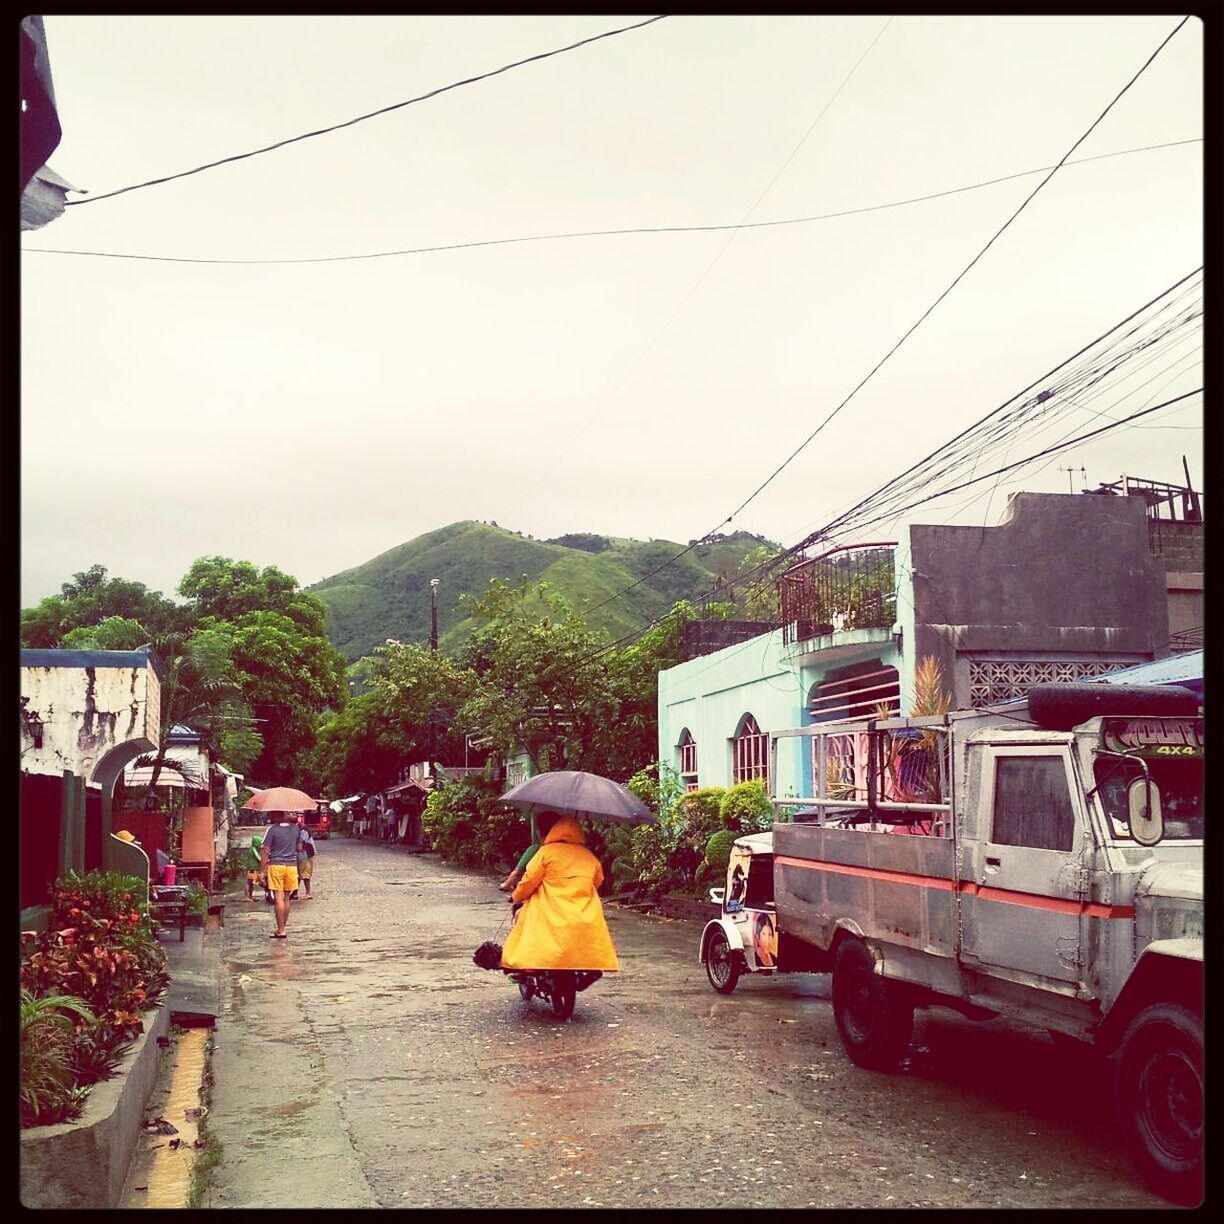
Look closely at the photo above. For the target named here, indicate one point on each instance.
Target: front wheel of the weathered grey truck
(1161, 1100)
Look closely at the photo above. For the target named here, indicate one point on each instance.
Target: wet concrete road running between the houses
(367, 1062)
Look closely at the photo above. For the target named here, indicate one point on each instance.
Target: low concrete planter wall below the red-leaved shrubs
(83, 1165)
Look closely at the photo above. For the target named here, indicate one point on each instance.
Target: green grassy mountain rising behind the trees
(390, 595)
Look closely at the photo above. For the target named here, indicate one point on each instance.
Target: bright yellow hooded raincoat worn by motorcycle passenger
(561, 925)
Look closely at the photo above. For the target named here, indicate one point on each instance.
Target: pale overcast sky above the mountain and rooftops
(314, 416)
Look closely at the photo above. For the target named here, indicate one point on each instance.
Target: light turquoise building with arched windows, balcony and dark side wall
(1067, 587)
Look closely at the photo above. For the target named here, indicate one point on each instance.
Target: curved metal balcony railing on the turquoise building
(848, 588)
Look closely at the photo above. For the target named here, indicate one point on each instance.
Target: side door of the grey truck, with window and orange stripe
(1023, 887)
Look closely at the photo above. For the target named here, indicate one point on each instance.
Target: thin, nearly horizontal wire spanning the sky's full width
(611, 233)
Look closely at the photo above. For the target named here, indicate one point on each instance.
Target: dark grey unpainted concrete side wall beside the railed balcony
(1064, 577)
